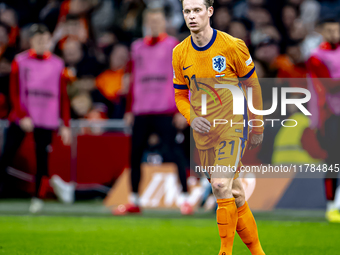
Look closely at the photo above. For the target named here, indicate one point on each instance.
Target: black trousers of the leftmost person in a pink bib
(14, 137)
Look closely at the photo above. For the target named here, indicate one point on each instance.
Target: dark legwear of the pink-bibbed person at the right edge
(330, 142)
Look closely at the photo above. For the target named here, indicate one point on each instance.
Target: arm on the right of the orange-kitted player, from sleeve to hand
(245, 69)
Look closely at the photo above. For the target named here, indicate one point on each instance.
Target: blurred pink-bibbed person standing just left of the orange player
(153, 109)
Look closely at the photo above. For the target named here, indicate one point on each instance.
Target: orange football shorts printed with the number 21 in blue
(227, 152)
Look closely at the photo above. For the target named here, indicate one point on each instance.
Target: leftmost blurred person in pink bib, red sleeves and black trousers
(39, 100)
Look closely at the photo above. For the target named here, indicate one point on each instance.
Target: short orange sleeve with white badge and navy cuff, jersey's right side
(243, 63)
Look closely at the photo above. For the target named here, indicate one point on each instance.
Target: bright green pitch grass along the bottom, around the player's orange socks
(138, 235)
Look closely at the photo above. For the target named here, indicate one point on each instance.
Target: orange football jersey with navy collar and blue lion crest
(223, 60)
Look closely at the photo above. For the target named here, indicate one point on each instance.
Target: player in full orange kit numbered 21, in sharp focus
(205, 58)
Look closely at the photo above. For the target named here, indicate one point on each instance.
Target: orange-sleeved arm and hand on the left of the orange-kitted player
(199, 124)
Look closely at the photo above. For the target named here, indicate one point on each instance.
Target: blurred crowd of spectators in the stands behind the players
(94, 36)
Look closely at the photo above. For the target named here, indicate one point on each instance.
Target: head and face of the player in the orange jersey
(196, 15)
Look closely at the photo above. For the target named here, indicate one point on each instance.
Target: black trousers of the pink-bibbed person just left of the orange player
(162, 125)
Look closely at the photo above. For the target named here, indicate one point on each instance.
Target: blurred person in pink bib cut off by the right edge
(324, 69)
